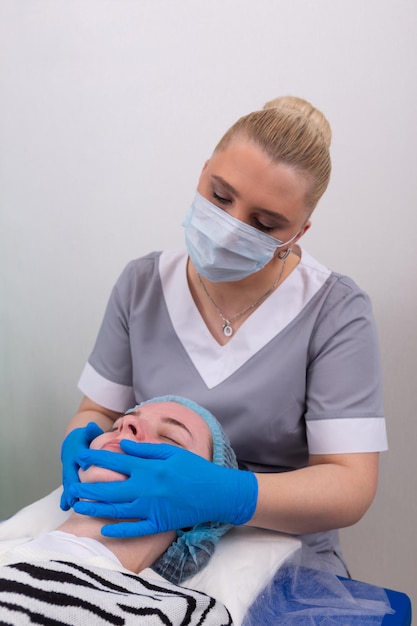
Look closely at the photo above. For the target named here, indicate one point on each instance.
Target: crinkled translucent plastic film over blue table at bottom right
(303, 596)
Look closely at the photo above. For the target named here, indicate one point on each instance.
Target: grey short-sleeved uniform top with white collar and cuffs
(302, 374)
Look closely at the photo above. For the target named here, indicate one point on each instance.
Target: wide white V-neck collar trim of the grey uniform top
(215, 363)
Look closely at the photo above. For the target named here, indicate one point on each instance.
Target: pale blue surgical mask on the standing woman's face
(223, 248)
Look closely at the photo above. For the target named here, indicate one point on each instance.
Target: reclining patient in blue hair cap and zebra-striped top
(75, 575)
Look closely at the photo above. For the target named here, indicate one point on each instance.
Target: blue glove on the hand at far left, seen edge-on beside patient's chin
(75, 442)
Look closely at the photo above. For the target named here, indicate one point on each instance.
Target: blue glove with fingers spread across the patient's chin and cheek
(167, 488)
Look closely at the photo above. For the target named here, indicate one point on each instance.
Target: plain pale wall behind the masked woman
(108, 109)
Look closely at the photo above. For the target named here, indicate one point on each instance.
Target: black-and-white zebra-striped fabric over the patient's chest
(56, 592)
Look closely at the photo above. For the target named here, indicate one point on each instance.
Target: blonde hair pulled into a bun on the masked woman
(293, 132)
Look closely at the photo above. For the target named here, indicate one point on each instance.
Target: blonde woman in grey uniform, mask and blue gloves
(283, 351)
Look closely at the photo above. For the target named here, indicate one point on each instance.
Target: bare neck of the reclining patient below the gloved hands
(135, 553)
